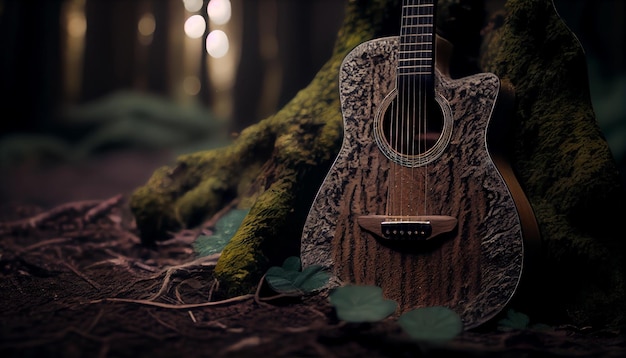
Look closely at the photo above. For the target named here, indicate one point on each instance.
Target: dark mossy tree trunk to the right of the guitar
(563, 163)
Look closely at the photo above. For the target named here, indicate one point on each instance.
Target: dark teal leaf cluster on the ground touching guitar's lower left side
(288, 279)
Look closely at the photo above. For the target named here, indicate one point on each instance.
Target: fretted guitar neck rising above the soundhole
(417, 43)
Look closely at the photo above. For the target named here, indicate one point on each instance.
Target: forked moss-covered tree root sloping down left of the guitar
(273, 167)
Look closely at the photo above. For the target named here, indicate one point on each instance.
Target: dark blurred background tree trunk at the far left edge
(30, 65)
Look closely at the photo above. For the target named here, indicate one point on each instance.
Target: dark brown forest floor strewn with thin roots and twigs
(75, 281)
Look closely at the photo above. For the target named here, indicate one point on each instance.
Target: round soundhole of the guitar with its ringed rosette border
(413, 131)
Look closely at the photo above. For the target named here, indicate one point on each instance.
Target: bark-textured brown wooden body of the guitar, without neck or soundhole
(475, 265)
